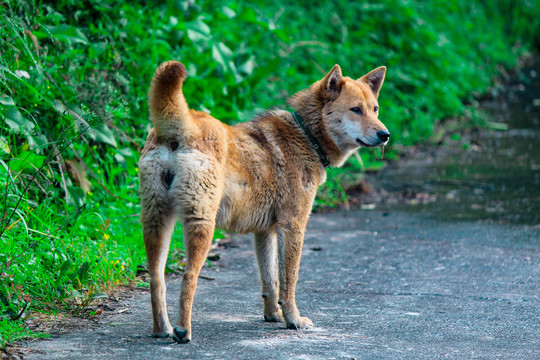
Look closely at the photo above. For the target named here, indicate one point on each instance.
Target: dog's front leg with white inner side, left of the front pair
(267, 258)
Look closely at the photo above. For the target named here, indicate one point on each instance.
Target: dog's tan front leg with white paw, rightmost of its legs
(290, 241)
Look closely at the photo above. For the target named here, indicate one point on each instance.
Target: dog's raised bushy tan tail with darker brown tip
(168, 108)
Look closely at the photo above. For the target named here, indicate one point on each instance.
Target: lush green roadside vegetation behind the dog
(73, 82)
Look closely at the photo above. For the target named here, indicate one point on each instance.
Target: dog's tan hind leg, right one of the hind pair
(198, 239)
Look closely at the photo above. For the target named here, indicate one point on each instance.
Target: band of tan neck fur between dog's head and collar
(309, 105)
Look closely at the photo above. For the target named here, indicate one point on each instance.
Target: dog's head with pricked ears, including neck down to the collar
(346, 108)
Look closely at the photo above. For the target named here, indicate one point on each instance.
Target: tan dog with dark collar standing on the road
(260, 177)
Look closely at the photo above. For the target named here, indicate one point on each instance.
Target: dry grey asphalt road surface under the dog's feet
(377, 286)
